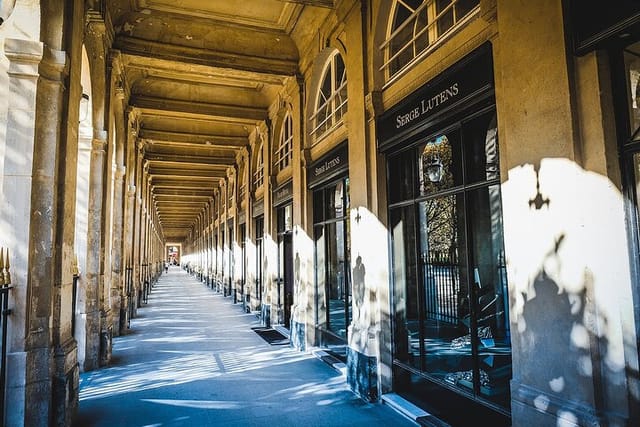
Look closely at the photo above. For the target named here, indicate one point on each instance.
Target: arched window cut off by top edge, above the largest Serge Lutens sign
(416, 25)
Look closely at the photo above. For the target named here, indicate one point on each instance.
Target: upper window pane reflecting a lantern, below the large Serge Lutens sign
(439, 163)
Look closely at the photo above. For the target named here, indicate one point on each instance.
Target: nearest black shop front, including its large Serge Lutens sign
(449, 298)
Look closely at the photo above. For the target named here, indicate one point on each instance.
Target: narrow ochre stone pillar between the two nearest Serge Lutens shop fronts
(369, 262)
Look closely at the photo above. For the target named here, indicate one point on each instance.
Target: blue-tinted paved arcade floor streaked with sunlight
(191, 359)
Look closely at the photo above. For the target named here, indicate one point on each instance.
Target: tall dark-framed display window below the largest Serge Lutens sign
(450, 301)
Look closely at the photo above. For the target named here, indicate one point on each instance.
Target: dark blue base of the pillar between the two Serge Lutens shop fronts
(362, 375)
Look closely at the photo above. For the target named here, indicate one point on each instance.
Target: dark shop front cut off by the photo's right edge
(616, 31)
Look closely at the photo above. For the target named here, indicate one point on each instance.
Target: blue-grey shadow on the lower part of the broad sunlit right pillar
(564, 349)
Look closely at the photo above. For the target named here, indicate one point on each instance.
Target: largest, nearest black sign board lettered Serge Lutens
(466, 79)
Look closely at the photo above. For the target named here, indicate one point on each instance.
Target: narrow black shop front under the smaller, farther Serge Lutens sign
(329, 181)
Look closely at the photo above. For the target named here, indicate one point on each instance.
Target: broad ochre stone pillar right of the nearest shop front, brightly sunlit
(564, 227)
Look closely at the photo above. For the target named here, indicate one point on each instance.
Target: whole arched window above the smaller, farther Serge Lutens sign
(331, 102)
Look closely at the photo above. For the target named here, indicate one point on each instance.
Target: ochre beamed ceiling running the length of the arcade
(201, 75)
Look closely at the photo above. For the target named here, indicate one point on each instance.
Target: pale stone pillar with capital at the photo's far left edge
(24, 380)
